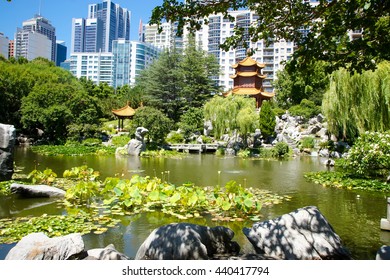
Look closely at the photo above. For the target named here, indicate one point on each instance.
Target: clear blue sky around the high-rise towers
(61, 12)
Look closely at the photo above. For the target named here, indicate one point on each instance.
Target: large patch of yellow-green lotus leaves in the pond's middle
(140, 194)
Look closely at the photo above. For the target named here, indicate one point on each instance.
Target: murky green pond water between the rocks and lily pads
(354, 215)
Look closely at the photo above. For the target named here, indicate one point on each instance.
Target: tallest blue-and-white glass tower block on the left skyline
(105, 23)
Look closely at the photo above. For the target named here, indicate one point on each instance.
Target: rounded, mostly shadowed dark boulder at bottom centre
(184, 241)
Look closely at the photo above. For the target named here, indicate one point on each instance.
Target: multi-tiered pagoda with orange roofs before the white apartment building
(248, 80)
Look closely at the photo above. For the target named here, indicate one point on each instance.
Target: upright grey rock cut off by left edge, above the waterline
(7, 143)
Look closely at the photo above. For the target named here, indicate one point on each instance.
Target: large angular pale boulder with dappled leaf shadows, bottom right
(302, 234)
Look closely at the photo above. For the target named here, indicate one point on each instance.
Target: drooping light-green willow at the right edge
(358, 103)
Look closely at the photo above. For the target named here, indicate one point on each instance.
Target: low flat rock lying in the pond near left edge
(35, 191)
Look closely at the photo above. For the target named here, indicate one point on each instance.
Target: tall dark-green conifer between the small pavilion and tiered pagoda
(180, 80)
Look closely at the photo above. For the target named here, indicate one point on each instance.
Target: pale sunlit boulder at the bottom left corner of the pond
(37, 246)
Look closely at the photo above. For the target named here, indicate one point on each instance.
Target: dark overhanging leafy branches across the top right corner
(327, 24)
